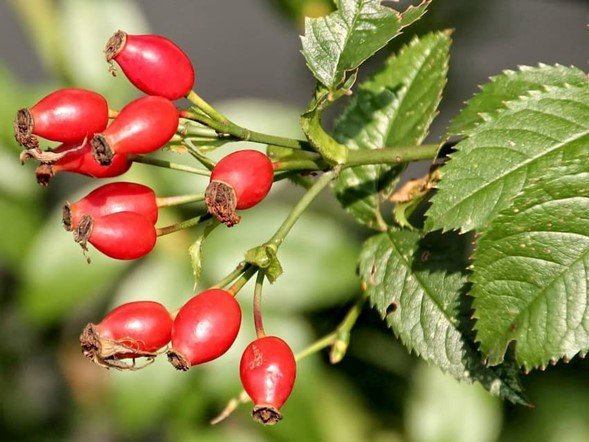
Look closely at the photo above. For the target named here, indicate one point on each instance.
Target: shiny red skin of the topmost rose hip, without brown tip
(156, 65)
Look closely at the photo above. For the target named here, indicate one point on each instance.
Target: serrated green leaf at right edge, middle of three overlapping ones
(502, 155)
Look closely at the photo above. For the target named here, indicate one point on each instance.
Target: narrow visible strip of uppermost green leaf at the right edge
(509, 86)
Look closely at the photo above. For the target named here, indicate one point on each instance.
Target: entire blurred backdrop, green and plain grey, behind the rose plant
(247, 61)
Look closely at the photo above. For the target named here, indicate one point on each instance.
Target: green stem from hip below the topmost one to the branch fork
(229, 128)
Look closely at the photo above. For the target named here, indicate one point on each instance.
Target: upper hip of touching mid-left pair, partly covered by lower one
(113, 198)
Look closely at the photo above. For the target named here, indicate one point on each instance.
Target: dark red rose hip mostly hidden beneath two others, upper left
(78, 158)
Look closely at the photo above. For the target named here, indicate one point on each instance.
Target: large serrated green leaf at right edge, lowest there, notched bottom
(530, 273)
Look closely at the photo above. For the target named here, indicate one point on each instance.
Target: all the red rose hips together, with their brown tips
(119, 219)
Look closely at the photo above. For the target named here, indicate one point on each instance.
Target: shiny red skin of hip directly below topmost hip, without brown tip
(142, 126)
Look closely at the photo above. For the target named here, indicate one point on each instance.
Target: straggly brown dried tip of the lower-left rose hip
(108, 353)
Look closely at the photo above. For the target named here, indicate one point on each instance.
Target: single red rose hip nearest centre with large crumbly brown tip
(239, 181)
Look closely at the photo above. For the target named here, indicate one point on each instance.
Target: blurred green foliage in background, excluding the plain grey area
(48, 292)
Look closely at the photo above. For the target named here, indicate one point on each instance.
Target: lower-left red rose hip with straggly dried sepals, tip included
(132, 330)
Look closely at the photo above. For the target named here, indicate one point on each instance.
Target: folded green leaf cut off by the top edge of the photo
(343, 40)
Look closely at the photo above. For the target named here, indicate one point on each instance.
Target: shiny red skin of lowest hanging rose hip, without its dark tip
(268, 371)
